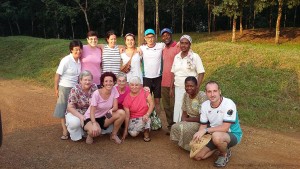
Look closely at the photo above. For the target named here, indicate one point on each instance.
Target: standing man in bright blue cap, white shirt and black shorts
(152, 66)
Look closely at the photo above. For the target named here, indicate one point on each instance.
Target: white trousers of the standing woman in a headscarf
(179, 93)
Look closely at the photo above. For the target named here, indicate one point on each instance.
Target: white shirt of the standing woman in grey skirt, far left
(69, 71)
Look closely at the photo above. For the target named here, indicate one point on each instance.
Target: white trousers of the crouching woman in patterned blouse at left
(74, 127)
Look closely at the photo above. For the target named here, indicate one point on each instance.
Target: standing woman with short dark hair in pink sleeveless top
(92, 56)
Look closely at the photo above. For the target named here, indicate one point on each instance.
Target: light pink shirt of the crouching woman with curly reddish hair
(102, 106)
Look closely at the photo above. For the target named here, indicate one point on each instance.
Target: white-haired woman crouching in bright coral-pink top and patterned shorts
(138, 105)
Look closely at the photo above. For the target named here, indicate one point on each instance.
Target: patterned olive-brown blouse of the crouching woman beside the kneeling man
(192, 106)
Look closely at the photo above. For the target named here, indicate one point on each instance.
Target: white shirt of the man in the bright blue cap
(152, 60)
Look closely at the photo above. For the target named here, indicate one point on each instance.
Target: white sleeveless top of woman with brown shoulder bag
(135, 69)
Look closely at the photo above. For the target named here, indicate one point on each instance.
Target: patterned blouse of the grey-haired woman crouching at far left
(80, 99)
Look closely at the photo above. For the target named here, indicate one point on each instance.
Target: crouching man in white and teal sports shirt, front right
(219, 118)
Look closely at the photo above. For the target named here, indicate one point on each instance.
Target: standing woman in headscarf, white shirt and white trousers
(186, 63)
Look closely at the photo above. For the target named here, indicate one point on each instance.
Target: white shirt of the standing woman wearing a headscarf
(190, 65)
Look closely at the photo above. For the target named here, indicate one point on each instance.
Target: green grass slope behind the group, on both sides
(262, 78)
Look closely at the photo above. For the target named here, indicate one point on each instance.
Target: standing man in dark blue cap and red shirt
(171, 49)
